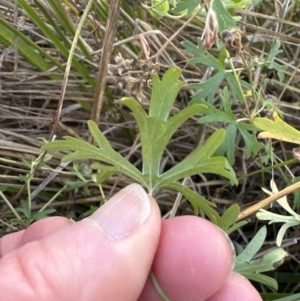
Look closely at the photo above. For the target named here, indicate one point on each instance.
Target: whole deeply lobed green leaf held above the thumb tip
(156, 129)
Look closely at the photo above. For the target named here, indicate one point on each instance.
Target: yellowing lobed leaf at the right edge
(277, 129)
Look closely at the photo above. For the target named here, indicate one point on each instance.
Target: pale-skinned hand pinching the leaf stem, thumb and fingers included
(109, 256)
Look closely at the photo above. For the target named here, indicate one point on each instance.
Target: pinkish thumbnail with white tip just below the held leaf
(123, 213)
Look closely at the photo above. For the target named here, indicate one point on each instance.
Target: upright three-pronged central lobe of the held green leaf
(155, 130)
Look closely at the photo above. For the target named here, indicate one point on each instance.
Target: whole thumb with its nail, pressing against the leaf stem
(105, 257)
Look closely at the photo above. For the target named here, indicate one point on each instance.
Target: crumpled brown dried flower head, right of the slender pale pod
(232, 40)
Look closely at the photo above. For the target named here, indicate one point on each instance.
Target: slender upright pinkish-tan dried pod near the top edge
(211, 29)
